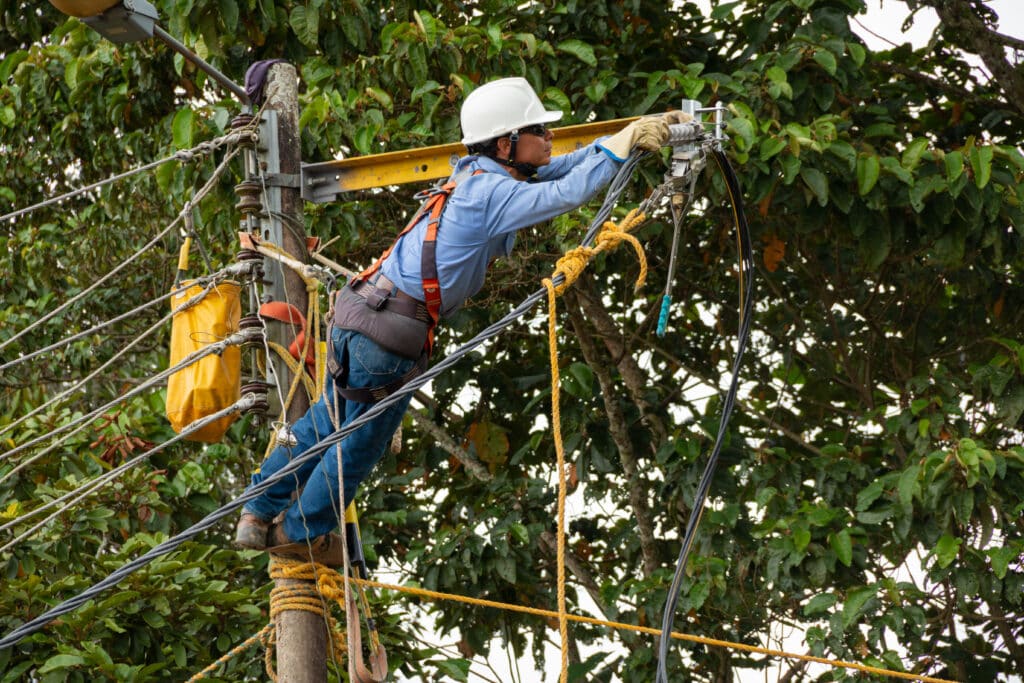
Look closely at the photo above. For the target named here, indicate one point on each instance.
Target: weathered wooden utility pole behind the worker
(302, 636)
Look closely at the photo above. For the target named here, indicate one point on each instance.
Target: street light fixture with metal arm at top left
(132, 21)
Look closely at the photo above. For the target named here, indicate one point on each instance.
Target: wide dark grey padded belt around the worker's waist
(390, 317)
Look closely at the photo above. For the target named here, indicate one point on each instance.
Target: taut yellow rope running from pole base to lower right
(547, 614)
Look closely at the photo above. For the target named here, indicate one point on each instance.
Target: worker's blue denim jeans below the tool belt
(317, 510)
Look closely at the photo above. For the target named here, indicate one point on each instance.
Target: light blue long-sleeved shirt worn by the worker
(484, 215)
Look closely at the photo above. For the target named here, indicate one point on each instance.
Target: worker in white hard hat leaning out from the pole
(383, 322)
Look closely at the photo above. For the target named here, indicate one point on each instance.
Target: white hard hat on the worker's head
(501, 107)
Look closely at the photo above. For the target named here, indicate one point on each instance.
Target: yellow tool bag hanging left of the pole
(215, 382)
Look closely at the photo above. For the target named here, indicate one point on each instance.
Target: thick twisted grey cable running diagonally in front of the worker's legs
(255, 491)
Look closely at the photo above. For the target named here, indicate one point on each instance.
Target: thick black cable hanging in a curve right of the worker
(704, 487)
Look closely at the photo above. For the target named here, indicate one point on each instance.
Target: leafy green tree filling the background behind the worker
(870, 493)
